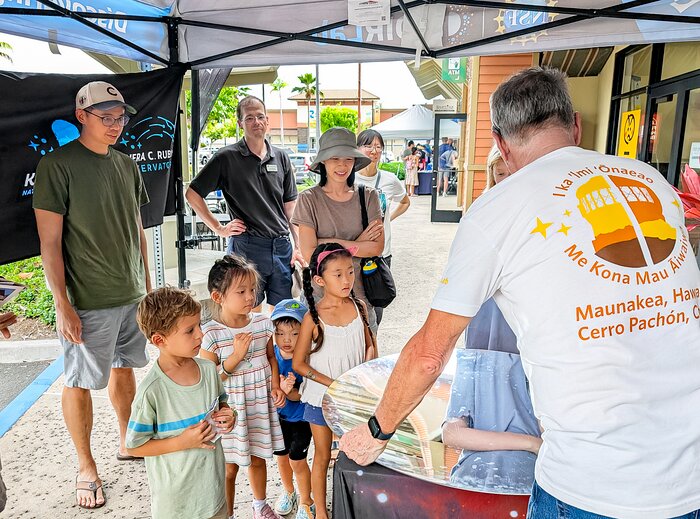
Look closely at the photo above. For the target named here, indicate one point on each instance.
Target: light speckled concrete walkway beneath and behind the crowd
(38, 461)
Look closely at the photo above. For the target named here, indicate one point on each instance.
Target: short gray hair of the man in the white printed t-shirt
(530, 100)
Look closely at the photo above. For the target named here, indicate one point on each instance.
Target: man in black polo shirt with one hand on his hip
(260, 189)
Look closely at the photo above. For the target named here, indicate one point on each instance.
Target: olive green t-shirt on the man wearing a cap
(99, 197)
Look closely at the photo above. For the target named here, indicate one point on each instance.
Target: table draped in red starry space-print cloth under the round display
(379, 492)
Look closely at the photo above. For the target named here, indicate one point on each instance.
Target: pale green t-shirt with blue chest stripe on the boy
(187, 483)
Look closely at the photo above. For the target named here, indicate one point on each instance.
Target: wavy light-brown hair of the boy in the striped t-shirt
(161, 309)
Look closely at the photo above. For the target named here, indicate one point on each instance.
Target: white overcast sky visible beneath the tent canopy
(391, 81)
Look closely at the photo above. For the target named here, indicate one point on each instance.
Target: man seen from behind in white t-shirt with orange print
(588, 258)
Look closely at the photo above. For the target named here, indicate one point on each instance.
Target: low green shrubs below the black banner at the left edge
(36, 301)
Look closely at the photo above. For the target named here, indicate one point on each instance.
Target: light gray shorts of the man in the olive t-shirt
(111, 339)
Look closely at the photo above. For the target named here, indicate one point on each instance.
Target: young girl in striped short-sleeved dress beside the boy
(240, 343)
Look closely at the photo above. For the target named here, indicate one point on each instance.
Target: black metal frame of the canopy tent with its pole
(172, 25)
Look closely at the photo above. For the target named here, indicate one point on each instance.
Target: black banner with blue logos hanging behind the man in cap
(37, 116)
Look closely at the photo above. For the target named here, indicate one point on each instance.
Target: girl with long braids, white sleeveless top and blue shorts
(334, 338)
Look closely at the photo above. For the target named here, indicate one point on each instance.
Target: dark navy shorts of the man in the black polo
(272, 258)
